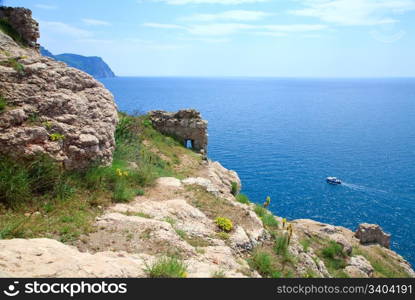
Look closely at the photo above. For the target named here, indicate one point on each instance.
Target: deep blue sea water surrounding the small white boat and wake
(285, 136)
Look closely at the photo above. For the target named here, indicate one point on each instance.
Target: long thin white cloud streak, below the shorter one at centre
(224, 29)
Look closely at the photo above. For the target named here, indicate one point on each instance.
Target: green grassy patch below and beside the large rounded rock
(68, 202)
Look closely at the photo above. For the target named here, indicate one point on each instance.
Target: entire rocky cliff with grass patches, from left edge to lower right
(194, 218)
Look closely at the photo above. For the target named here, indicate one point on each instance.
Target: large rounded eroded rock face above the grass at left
(53, 109)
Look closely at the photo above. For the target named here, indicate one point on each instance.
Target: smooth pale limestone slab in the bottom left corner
(50, 258)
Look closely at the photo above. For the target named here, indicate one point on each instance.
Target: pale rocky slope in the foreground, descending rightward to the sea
(176, 217)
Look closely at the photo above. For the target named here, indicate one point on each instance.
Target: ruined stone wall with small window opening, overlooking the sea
(184, 125)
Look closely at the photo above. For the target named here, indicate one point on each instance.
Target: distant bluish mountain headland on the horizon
(92, 65)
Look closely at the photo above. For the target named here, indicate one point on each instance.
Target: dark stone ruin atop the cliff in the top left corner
(21, 20)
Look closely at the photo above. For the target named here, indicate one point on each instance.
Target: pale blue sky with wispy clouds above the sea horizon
(282, 38)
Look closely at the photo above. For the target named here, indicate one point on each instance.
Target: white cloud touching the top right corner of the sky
(355, 12)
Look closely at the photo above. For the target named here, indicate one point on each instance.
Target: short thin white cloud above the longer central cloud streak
(231, 15)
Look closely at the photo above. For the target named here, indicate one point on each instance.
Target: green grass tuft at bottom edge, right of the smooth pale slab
(167, 267)
